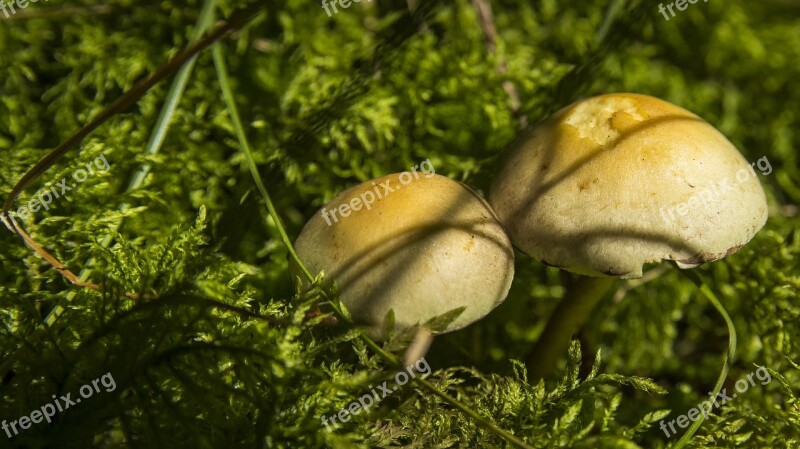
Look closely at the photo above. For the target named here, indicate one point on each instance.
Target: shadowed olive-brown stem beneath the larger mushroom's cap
(581, 297)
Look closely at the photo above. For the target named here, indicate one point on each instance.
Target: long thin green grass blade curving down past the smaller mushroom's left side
(227, 93)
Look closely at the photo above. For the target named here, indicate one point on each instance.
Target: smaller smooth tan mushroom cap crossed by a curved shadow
(429, 246)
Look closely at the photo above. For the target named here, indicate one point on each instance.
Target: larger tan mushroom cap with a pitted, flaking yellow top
(612, 182)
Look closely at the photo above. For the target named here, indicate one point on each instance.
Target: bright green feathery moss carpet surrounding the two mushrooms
(221, 352)
